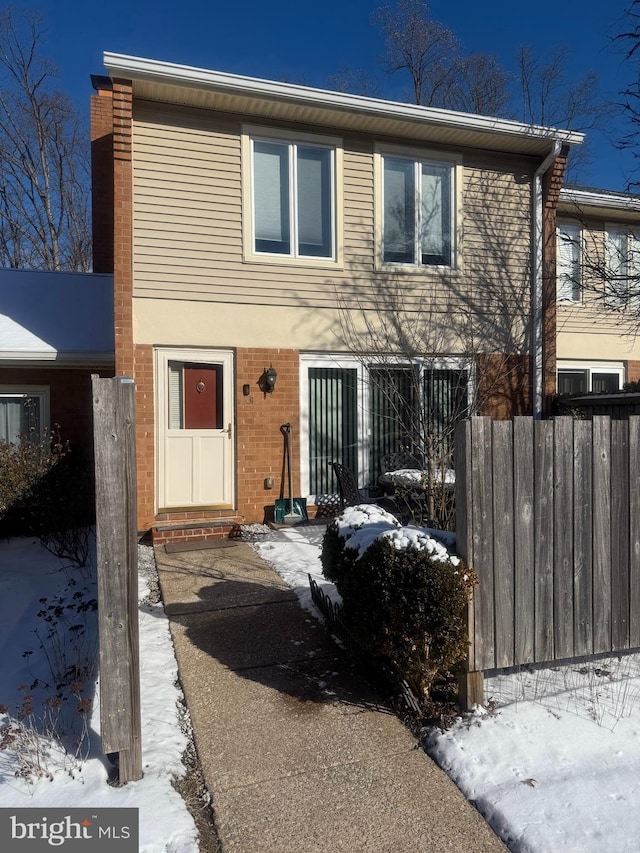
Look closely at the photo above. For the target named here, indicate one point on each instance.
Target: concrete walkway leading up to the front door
(297, 750)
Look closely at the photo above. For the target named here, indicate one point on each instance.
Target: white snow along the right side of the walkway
(552, 761)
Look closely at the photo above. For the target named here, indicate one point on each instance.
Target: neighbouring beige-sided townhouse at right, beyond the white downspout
(597, 292)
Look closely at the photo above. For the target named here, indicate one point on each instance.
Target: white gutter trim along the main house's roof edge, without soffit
(137, 68)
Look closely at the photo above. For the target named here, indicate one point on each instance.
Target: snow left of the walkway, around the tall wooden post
(28, 574)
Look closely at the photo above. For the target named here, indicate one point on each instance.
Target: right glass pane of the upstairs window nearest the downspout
(435, 214)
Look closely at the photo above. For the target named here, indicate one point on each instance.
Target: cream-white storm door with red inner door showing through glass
(195, 429)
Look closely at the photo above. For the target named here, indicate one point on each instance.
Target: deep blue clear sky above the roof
(304, 42)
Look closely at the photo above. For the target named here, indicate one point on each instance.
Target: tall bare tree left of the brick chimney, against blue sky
(44, 158)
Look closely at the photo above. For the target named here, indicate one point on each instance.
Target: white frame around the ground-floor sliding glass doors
(361, 365)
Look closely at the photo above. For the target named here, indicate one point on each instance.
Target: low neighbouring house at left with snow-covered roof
(56, 329)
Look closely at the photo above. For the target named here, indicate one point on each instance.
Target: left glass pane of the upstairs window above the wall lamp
(271, 197)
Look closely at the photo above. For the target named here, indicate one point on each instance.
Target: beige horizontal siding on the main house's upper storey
(188, 230)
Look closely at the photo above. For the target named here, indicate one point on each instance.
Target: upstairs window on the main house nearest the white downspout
(418, 211)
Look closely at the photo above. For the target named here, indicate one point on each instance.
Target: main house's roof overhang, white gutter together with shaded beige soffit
(197, 87)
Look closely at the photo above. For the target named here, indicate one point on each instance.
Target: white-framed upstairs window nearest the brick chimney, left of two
(292, 192)
